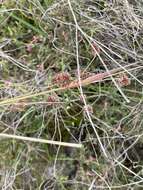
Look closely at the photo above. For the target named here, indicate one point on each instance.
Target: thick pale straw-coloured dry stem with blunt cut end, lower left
(32, 139)
